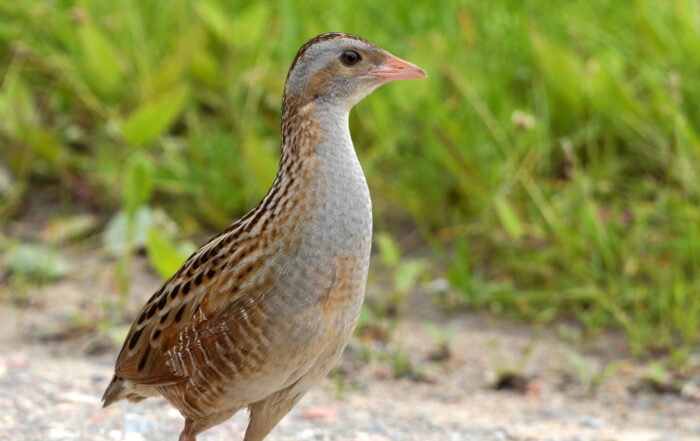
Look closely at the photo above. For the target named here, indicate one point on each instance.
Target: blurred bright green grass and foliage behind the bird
(548, 166)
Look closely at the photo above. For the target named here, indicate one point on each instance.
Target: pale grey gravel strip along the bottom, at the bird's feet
(57, 398)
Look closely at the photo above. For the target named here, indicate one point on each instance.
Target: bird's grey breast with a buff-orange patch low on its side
(323, 265)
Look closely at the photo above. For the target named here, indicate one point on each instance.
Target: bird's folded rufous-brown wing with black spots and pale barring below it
(207, 315)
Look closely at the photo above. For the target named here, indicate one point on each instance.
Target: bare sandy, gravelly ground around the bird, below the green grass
(52, 375)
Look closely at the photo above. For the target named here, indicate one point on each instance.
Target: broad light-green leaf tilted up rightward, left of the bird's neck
(153, 118)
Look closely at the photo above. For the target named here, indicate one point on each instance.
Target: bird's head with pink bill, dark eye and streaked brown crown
(341, 69)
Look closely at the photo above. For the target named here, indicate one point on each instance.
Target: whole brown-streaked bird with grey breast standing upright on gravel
(264, 309)
